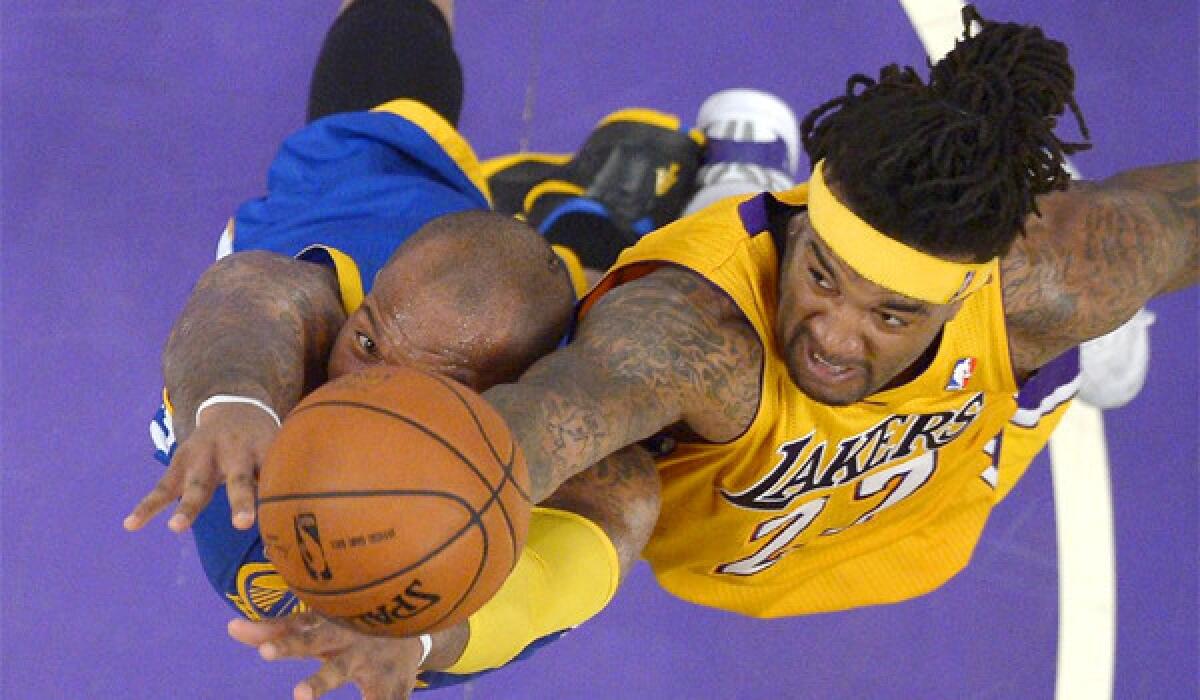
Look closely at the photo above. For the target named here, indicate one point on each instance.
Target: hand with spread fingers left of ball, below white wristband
(227, 447)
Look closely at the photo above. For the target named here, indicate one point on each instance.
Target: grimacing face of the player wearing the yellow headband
(843, 337)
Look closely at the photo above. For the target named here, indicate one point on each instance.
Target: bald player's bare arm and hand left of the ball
(257, 325)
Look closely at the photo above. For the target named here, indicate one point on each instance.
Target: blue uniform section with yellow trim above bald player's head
(350, 189)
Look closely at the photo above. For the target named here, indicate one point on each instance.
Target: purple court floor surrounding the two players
(131, 130)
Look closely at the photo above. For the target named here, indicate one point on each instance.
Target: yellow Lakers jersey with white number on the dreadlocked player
(814, 507)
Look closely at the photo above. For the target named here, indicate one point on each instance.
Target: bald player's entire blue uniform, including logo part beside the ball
(345, 192)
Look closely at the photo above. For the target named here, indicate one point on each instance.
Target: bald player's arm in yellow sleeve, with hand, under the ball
(621, 495)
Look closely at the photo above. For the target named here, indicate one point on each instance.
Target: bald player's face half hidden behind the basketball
(415, 334)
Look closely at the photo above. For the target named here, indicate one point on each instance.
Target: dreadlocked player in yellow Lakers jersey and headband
(830, 372)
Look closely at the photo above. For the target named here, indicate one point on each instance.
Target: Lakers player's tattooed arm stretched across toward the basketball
(653, 352)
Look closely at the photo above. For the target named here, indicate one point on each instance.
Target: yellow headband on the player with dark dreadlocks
(884, 260)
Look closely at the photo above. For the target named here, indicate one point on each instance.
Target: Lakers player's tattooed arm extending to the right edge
(1100, 252)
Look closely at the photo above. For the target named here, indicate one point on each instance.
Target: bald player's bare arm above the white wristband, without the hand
(257, 325)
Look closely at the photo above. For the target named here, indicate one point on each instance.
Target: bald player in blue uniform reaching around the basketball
(377, 243)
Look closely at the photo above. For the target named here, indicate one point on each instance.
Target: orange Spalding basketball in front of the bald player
(394, 501)
